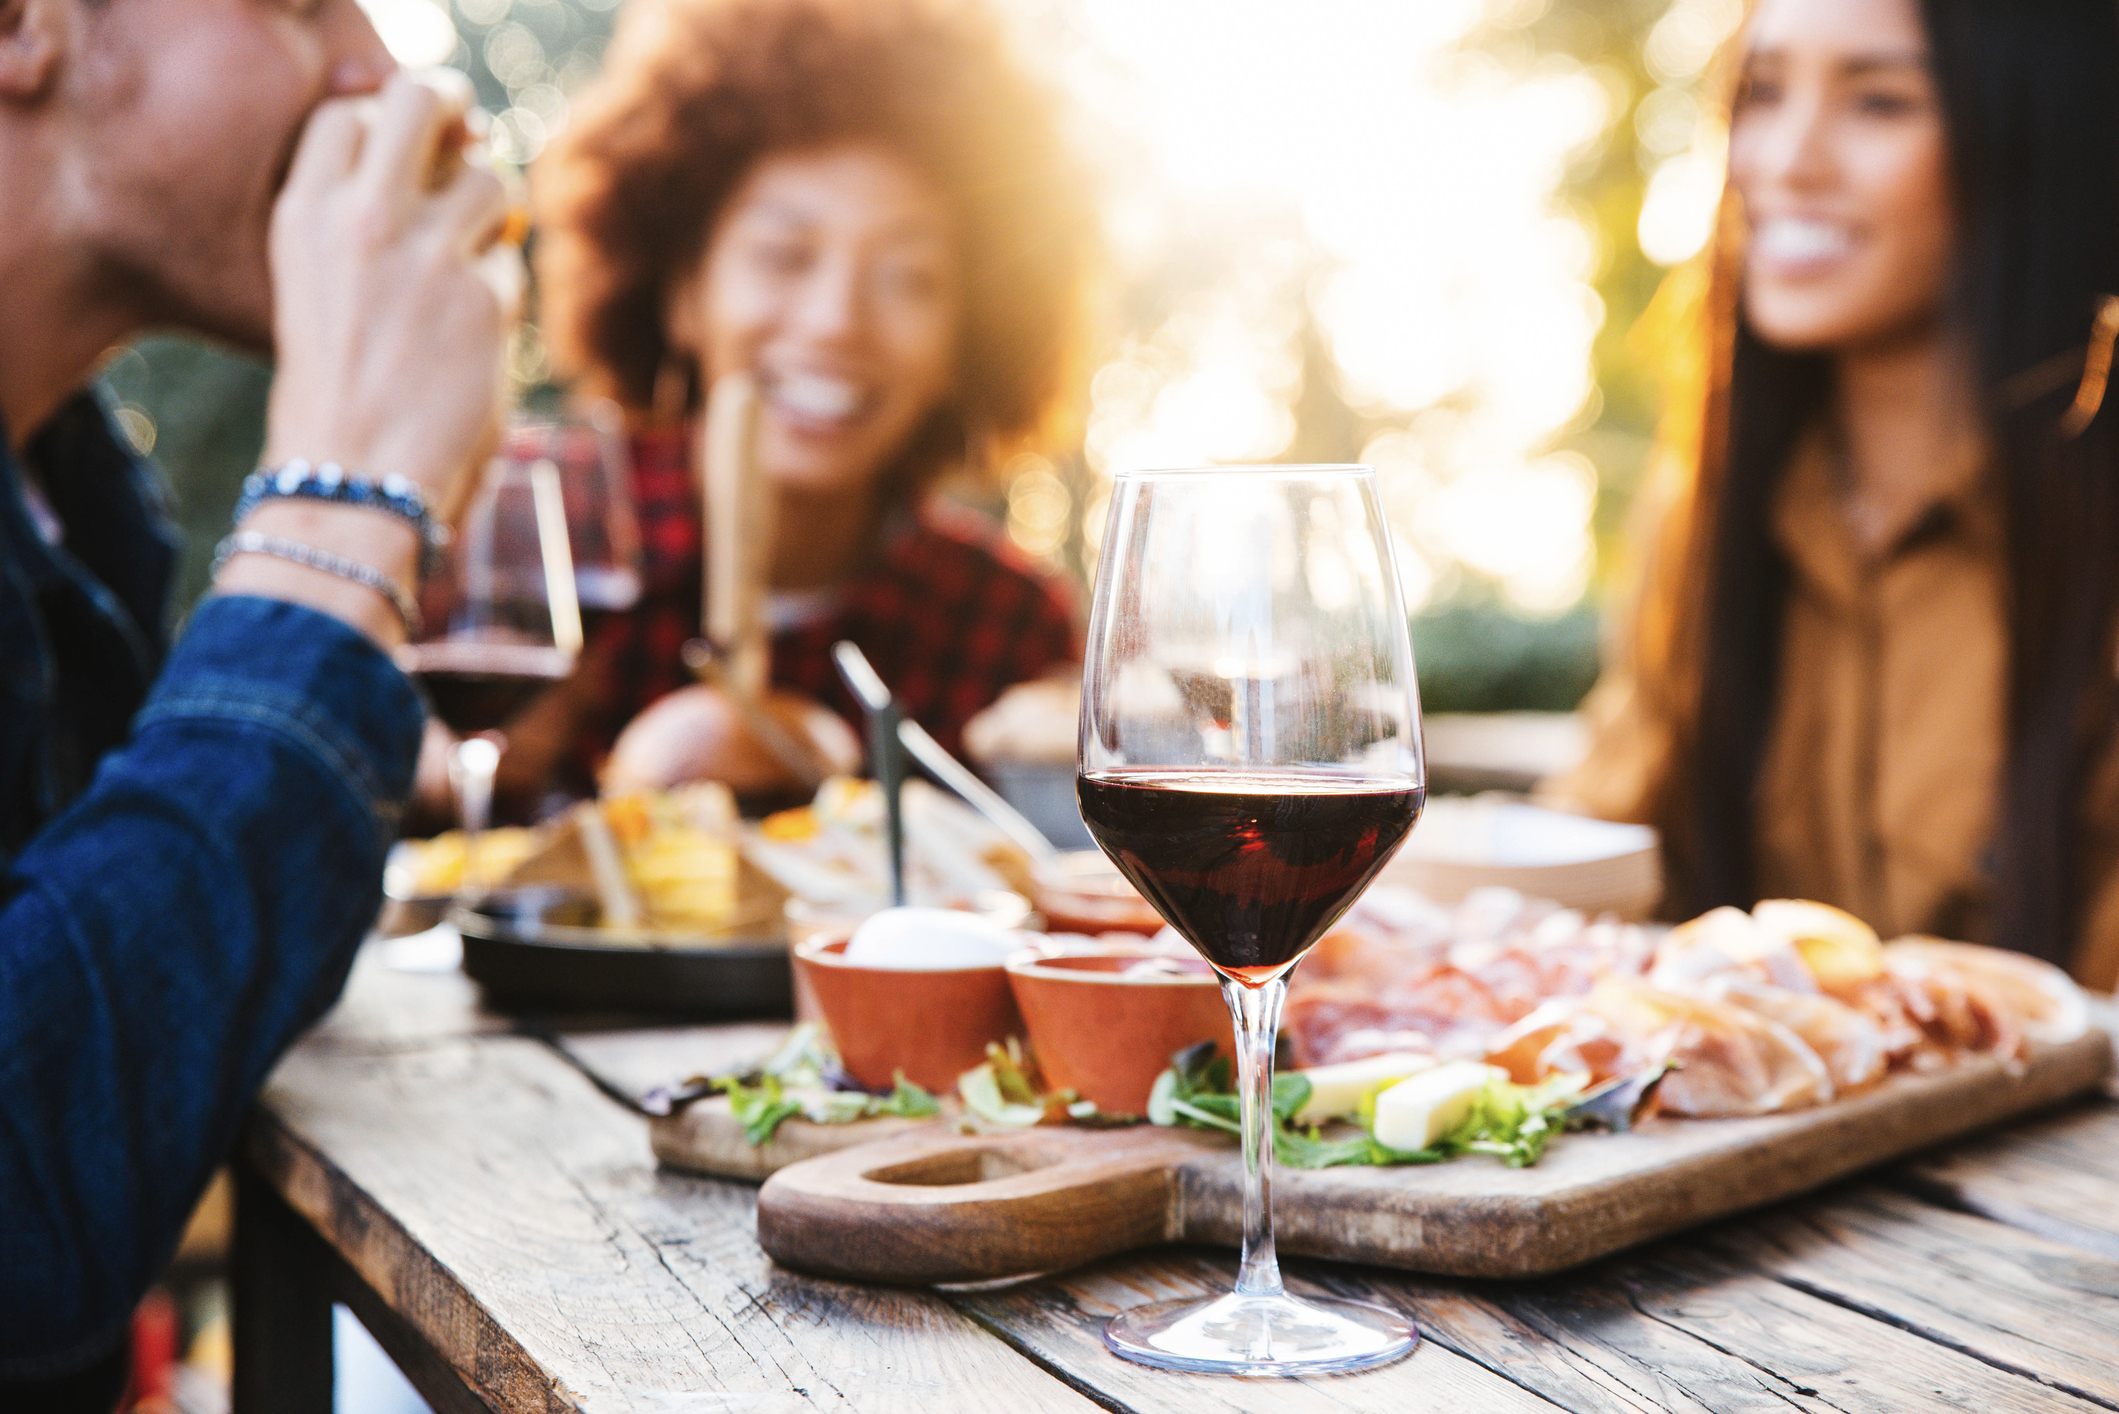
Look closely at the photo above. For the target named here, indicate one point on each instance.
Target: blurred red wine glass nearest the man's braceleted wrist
(503, 618)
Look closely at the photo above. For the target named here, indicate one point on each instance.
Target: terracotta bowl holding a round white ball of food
(931, 1025)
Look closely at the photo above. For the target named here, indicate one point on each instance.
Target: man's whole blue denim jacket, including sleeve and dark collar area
(192, 858)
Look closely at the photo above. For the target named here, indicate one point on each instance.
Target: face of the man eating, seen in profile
(190, 116)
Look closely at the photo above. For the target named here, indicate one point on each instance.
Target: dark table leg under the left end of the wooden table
(281, 1279)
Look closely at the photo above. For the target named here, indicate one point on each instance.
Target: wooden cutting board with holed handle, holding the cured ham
(927, 1205)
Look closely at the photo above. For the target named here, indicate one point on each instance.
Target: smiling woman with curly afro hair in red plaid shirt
(870, 209)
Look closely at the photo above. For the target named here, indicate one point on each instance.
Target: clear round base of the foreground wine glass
(1262, 1337)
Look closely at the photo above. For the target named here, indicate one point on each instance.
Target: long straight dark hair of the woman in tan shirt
(2031, 107)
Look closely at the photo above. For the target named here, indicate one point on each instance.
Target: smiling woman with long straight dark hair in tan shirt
(1874, 652)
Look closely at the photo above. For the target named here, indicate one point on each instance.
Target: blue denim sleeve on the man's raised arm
(166, 938)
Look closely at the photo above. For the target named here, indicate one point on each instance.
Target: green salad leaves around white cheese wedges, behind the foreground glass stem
(1512, 1123)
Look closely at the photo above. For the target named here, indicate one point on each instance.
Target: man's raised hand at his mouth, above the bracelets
(391, 294)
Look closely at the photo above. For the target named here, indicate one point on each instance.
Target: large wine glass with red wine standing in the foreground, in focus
(1251, 760)
